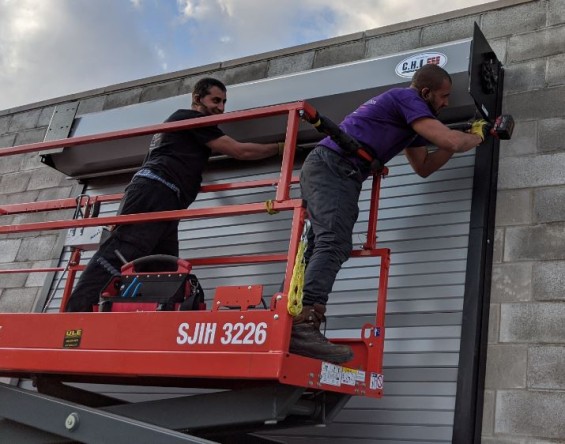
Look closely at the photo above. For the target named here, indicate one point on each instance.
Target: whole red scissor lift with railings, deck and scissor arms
(238, 347)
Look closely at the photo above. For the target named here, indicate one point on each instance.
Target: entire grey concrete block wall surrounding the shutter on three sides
(525, 388)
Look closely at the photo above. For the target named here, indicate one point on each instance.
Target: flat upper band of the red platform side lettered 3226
(142, 331)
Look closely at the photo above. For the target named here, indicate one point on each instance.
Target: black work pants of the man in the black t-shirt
(132, 241)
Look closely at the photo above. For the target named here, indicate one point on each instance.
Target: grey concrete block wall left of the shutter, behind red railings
(23, 178)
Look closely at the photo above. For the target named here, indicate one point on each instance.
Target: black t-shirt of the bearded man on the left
(180, 157)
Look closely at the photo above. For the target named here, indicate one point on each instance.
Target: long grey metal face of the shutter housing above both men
(317, 86)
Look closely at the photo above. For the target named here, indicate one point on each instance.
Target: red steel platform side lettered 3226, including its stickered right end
(154, 344)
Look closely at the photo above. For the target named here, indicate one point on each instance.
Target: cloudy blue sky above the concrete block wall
(51, 48)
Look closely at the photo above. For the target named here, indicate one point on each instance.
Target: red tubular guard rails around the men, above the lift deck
(280, 203)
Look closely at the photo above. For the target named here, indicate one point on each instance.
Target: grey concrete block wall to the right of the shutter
(525, 382)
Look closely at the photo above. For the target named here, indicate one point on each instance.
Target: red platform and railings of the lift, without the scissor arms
(201, 345)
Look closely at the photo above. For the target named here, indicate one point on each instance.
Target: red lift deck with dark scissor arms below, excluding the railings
(242, 351)
